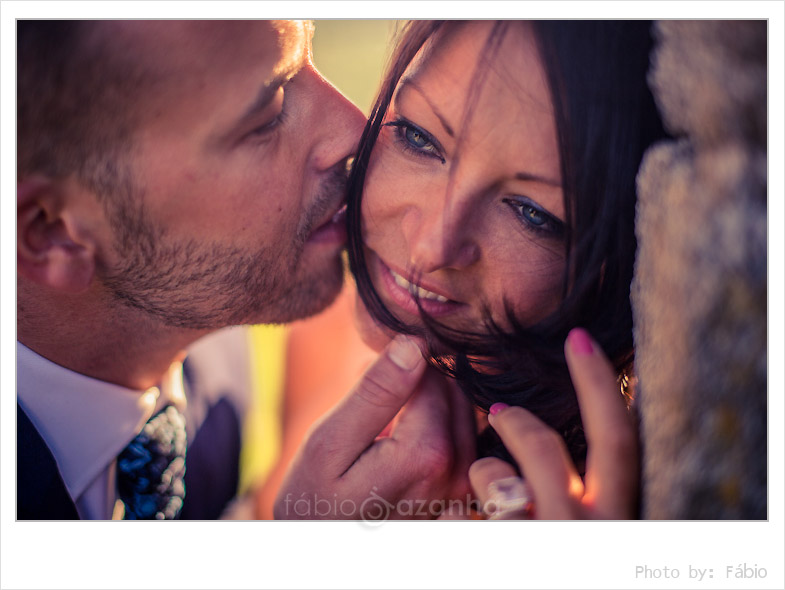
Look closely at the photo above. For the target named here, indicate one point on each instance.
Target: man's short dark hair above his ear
(76, 104)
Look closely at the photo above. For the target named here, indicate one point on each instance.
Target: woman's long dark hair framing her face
(605, 119)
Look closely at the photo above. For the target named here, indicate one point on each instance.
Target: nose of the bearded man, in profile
(340, 124)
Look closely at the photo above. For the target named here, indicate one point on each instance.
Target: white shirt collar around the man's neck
(86, 422)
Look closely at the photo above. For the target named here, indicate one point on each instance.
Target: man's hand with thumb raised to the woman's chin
(347, 469)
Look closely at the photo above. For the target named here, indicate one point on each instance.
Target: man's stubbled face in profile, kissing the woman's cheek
(238, 169)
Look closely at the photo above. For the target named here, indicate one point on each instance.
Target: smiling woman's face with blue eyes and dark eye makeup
(467, 209)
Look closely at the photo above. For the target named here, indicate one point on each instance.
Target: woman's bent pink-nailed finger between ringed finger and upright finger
(543, 458)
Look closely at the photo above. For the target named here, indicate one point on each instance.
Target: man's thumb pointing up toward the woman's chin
(351, 427)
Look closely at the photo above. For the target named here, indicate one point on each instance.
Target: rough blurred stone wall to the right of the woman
(699, 293)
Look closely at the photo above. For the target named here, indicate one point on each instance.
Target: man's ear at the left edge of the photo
(51, 247)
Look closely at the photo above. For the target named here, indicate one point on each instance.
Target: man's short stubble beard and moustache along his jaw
(206, 286)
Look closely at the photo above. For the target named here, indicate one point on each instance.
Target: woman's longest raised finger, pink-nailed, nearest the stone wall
(612, 461)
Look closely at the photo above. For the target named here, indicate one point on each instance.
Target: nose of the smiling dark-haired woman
(440, 236)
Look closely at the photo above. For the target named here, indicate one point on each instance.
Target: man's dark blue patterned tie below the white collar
(150, 469)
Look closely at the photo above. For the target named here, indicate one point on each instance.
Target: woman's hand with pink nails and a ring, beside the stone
(554, 488)
